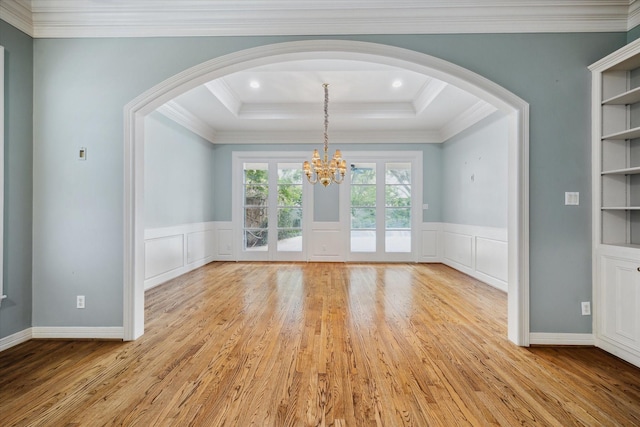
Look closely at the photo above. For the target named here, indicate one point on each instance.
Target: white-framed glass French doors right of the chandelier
(382, 203)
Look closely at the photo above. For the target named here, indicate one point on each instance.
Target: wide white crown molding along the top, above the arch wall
(159, 18)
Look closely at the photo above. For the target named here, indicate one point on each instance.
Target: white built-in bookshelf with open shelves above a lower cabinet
(616, 202)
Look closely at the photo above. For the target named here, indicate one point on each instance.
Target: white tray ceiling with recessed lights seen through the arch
(364, 105)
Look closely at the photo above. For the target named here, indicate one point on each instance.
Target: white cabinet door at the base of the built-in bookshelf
(620, 301)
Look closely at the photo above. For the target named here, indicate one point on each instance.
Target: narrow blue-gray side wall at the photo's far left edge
(15, 311)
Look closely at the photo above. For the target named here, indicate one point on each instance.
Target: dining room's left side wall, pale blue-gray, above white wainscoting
(178, 174)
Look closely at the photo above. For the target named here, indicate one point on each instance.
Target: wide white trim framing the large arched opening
(502, 99)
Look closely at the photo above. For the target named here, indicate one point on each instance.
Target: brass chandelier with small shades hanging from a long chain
(323, 170)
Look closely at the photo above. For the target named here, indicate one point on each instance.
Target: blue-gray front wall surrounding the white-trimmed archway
(81, 86)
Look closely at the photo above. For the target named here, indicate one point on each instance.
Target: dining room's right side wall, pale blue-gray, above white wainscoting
(474, 174)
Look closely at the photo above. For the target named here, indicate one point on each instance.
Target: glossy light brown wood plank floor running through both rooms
(241, 344)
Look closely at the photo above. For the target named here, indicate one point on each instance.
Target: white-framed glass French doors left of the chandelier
(272, 204)
